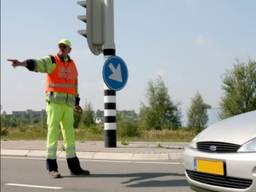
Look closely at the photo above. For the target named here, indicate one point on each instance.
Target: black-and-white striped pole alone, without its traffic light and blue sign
(109, 95)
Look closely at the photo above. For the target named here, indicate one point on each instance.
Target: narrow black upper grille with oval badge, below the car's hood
(217, 147)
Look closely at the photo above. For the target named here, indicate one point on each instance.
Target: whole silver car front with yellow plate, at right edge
(223, 156)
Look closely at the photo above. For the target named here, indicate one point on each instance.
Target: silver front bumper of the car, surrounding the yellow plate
(237, 166)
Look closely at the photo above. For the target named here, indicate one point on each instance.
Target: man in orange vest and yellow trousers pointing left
(62, 98)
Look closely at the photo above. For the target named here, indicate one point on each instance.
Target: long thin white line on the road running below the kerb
(102, 161)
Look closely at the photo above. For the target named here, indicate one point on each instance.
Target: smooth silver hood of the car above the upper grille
(238, 130)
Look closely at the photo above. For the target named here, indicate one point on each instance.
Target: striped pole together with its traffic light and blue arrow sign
(100, 37)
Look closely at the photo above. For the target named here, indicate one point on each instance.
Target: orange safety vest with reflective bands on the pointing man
(64, 77)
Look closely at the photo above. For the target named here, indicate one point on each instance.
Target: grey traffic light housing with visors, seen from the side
(94, 21)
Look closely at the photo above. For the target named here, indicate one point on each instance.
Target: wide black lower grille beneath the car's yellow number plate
(222, 181)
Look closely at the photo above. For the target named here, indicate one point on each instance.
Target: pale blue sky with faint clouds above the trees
(190, 44)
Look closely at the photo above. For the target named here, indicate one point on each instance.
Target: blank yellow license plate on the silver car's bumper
(210, 166)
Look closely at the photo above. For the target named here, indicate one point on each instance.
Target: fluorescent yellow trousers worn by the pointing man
(60, 115)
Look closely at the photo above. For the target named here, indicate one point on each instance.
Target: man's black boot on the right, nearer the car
(75, 168)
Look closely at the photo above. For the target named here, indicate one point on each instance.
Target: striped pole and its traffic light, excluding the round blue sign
(100, 37)
